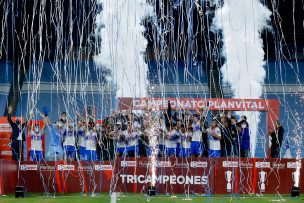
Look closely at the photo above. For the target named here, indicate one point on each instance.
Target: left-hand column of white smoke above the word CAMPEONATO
(122, 49)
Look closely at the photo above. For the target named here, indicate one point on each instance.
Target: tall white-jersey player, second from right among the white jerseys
(196, 137)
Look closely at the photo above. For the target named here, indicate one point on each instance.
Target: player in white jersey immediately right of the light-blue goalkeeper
(69, 135)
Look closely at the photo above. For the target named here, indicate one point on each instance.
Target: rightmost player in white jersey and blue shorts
(214, 134)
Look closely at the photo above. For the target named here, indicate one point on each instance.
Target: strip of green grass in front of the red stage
(136, 198)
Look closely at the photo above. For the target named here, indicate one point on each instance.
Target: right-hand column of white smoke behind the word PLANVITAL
(242, 22)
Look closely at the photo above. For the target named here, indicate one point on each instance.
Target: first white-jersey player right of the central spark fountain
(170, 141)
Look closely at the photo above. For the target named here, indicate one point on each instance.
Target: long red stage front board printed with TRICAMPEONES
(173, 176)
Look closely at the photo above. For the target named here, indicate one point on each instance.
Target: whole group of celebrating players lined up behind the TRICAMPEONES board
(150, 133)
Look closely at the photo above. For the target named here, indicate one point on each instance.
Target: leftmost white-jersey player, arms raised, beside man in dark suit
(36, 134)
